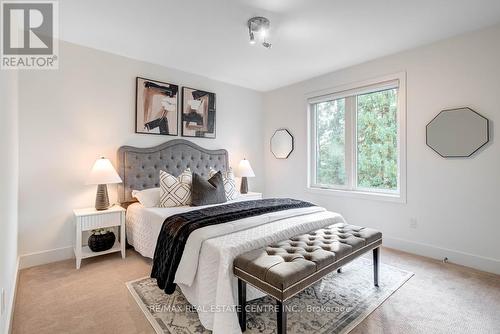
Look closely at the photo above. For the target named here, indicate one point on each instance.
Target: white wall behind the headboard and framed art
(86, 109)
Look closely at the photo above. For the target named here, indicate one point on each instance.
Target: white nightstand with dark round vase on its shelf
(90, 219)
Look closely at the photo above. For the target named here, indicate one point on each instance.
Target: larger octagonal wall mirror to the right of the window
(457, 133)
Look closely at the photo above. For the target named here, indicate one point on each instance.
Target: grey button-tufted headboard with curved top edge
(139, 168)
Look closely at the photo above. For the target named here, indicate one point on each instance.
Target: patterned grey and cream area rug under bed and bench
(335, 305)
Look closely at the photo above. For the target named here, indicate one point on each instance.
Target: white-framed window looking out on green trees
(357, 139)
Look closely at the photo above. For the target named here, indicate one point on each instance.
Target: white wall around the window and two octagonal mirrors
(455, 201)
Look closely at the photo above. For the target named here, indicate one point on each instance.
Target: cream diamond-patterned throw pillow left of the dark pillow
(175, 191)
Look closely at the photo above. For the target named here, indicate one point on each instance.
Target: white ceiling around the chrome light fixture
(310, 37)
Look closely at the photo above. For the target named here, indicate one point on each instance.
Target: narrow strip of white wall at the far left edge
(8, 195)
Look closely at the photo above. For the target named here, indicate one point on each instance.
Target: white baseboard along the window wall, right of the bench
(465, 259)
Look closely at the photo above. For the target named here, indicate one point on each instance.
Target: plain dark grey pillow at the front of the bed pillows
(205, 192)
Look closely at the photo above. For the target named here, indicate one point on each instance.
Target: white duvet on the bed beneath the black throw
(205, 273)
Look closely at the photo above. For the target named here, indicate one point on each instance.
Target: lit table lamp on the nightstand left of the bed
(102, 174)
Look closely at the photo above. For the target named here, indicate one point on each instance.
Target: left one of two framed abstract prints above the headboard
(156, 107)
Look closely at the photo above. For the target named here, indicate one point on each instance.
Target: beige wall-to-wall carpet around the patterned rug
(440, 298)
